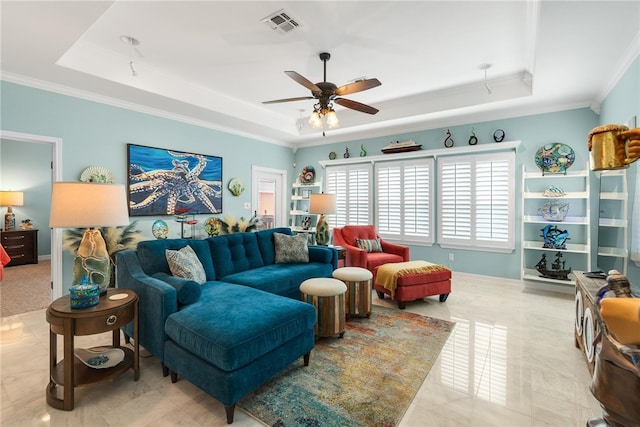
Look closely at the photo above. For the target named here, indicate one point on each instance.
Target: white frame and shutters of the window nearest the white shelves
(467, 237)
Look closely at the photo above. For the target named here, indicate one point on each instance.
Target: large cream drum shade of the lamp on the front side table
(88, 204)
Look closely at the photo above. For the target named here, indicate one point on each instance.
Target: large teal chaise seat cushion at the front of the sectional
(231, 326)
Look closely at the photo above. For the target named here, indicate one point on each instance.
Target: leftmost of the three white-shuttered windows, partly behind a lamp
(352, 186)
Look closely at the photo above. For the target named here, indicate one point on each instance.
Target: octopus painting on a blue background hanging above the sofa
(171, 182)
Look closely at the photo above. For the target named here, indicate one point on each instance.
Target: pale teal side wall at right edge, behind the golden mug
(622, 103)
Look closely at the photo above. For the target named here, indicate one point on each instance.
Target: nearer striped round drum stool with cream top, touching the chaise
(327, 296)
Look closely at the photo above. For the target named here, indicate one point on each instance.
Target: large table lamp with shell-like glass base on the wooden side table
(88, 204)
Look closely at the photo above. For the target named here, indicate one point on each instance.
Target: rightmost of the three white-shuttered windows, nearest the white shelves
(476, 202)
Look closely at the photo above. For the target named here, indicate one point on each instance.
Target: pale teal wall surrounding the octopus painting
(97, 134)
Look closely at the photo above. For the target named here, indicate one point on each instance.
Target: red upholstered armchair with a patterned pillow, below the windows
(356, 257)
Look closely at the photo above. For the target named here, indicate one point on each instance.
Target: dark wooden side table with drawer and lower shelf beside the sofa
(108, 315)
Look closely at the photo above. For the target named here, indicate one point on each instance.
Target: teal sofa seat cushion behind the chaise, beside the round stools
(281, 279)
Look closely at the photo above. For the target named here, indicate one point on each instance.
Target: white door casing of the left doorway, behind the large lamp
(56, 175)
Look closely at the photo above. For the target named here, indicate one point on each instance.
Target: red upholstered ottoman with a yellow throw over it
(434, 280)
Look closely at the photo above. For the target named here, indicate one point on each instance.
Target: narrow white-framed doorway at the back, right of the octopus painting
(268, 196)
